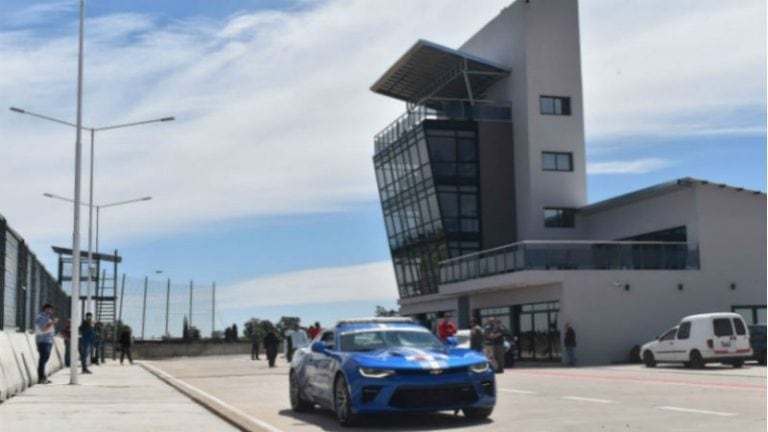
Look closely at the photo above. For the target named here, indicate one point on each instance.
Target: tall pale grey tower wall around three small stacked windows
(539, 42)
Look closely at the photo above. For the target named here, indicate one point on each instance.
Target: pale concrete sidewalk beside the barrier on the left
(116, 398)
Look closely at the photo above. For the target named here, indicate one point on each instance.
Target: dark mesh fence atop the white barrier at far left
(25, 284)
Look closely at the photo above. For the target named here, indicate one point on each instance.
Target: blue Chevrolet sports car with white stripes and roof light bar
(389, 365)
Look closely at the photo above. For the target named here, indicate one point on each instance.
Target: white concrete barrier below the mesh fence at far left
(18, 362)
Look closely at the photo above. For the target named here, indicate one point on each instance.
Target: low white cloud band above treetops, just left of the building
(372, 281)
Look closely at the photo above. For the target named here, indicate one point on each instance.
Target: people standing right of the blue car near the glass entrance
(491, 339)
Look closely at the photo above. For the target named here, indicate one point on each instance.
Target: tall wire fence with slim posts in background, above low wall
(158, 309)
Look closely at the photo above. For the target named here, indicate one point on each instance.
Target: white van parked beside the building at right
(701, 339)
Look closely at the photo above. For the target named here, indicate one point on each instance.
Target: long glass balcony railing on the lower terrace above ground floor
(571, 255)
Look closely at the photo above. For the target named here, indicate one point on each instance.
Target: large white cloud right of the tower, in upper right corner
(686, 67)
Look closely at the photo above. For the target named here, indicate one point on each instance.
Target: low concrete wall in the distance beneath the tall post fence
(164, 349)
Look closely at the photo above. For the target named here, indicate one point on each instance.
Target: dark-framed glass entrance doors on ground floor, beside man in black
(537, 331)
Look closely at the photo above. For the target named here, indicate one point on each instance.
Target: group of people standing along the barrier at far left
(92, 341)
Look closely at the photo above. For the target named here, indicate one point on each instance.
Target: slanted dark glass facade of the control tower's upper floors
(429, 188)
